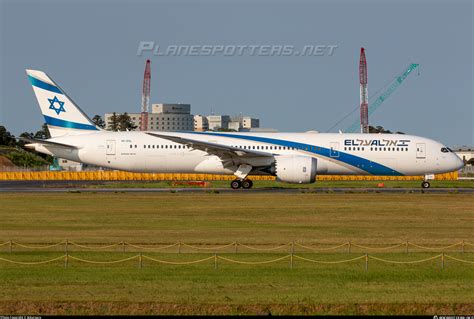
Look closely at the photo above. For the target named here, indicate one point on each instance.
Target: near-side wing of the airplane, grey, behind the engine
(228, 154)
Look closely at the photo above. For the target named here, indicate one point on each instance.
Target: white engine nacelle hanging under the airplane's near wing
(296, 169)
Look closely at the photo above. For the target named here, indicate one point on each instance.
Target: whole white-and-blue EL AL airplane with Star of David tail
(291, 157)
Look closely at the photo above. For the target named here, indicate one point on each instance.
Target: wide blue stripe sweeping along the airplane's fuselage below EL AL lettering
(356, 161)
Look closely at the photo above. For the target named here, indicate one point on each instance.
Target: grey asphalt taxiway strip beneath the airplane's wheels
(81, 186)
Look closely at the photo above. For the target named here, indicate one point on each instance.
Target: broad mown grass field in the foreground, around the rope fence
(429, 219)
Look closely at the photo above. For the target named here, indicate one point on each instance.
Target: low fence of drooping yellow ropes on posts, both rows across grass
(290, 256)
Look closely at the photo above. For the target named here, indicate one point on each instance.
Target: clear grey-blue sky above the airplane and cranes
(90, 49)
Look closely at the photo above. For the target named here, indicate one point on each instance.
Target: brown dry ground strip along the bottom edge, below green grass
(124, 308)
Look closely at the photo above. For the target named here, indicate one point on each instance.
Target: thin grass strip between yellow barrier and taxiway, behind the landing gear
(318, 184)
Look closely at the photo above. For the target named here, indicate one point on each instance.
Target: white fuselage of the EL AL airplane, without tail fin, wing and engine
(346, 154)
